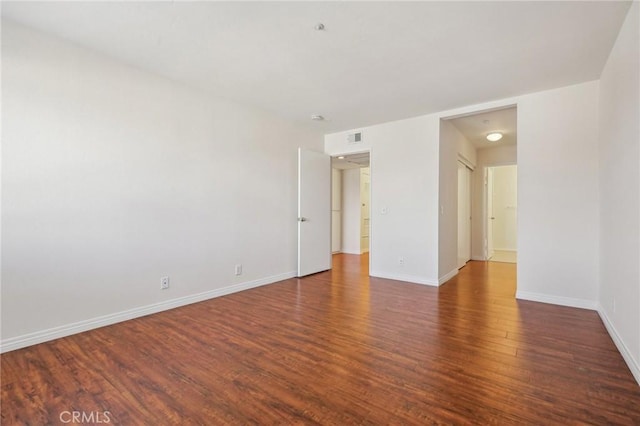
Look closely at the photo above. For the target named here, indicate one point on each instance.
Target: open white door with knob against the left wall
(314, 212)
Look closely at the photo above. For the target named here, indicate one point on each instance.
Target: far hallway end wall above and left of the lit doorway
(486, 157)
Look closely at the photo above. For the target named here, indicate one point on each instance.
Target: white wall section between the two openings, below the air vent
(404, 196)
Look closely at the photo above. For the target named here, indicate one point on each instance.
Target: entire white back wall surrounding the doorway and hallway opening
(557, 194)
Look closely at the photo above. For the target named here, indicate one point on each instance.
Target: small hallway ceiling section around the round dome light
(476, 127)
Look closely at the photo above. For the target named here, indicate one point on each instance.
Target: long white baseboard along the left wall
(18, 342)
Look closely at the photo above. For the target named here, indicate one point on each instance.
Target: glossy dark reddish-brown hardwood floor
(335, 348)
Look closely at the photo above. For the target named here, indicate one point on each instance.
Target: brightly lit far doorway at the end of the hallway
(502, 213)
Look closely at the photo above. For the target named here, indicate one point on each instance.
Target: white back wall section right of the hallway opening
(558, 195)
